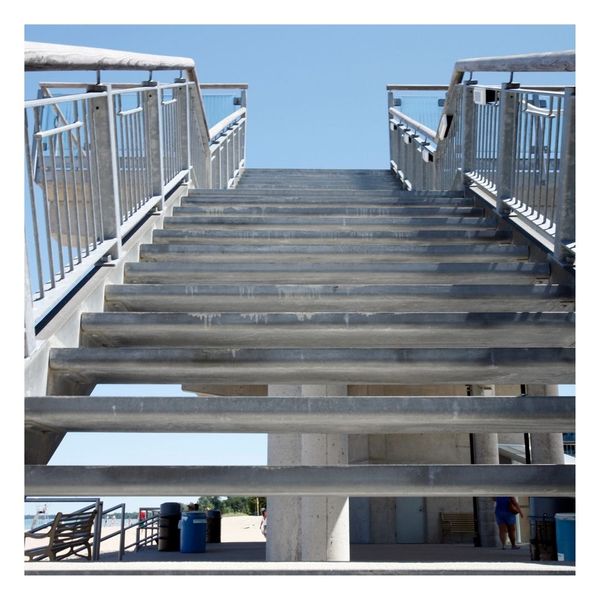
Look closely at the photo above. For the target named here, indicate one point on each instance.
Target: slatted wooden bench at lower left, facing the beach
(67, 534)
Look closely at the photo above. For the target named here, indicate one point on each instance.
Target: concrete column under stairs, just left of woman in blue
(485, 452)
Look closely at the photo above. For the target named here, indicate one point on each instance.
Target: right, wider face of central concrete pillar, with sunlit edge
(325, 529)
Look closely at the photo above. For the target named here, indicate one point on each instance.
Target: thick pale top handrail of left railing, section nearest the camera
(59, 57)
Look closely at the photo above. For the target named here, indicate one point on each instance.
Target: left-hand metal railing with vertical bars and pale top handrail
(99, 161)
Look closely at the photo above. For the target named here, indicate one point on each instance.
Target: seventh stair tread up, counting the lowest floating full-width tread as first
(240, 251)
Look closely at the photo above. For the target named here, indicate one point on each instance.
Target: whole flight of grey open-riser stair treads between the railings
(319, 277)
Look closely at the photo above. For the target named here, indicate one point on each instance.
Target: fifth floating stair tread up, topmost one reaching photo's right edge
(312, 298)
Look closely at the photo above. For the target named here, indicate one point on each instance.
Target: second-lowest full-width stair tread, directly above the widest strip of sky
(355, 414)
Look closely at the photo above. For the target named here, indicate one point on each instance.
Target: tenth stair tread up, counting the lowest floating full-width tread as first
(266, 210)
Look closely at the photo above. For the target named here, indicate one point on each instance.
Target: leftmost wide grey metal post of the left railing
(108, 170)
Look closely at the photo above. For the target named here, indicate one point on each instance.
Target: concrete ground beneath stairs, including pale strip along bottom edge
(247, 558)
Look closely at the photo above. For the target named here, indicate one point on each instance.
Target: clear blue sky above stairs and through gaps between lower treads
(316, 99)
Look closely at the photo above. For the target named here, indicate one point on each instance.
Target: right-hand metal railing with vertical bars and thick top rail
(514, 145)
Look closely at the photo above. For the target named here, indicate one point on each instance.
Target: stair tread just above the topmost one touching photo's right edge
(365, 272)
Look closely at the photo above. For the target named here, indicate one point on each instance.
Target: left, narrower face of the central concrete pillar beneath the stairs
(284, 524)
